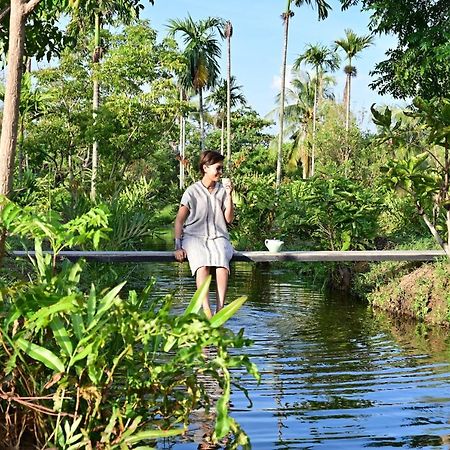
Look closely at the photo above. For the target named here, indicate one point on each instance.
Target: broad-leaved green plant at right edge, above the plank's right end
(424, 176)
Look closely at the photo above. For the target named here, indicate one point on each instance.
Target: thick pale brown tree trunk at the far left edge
(8, 140)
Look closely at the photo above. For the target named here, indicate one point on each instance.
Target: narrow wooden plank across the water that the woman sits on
(262, 256)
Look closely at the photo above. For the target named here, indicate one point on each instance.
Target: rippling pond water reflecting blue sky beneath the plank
(335, 375)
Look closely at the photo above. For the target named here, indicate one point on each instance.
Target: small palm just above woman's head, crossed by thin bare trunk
(226, 96)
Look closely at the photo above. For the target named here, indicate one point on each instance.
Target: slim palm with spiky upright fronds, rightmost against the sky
(352, 45)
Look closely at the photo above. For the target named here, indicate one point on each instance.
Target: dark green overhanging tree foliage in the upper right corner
(419, 65)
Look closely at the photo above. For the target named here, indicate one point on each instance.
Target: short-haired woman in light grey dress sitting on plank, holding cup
(201, 235)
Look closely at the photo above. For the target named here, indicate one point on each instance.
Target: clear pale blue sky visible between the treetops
(256, 45)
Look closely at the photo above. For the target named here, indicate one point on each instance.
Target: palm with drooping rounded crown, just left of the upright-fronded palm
(322, 59)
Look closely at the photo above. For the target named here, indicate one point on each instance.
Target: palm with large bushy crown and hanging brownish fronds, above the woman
(202, 52)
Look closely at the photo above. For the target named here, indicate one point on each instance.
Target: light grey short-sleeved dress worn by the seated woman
(205, 234)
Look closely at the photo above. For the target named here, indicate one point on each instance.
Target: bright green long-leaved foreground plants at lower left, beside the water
(104, 368)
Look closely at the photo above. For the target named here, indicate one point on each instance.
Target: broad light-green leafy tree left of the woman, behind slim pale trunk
(135, 123)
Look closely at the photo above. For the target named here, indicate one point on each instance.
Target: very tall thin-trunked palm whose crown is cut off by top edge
(322, 9)
